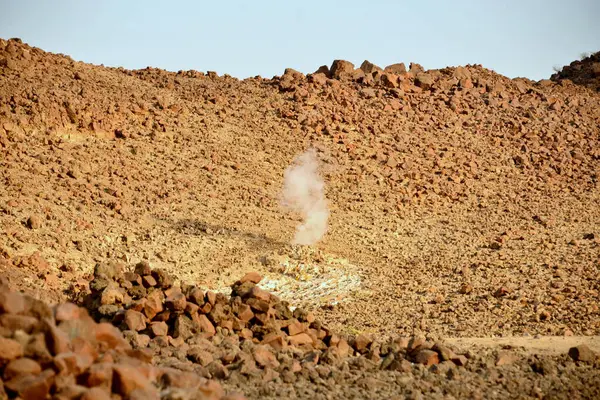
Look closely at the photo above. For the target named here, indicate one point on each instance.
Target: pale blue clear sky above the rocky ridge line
(517, 38)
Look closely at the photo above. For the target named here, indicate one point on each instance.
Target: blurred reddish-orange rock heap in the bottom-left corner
(60, 352)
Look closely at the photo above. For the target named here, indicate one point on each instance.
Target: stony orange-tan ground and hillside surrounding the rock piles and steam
(463, 205)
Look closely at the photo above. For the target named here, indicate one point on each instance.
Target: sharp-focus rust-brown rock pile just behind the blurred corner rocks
(252, 332)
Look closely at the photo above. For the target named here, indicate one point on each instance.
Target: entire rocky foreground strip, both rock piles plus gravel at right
(151, 339)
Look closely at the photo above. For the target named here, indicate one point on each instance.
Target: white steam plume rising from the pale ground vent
(304, 193)
